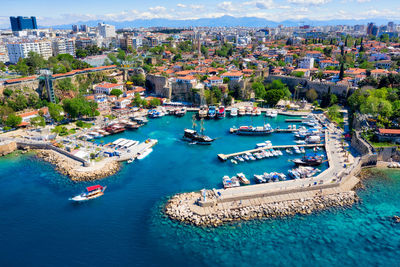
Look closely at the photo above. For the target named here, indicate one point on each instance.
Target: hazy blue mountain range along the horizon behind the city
(224, 21)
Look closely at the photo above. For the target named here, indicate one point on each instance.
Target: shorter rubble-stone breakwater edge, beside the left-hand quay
(74, 170)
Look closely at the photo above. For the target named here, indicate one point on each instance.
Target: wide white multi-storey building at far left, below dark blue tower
(21, 50)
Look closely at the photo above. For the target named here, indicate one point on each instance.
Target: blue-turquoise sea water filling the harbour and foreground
(125, 227)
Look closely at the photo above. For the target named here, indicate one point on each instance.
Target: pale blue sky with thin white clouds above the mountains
(55, 12)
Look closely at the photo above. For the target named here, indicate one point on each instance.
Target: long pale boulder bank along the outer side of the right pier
(178, 208)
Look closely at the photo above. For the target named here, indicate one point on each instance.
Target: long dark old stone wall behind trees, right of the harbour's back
(320, 87)
